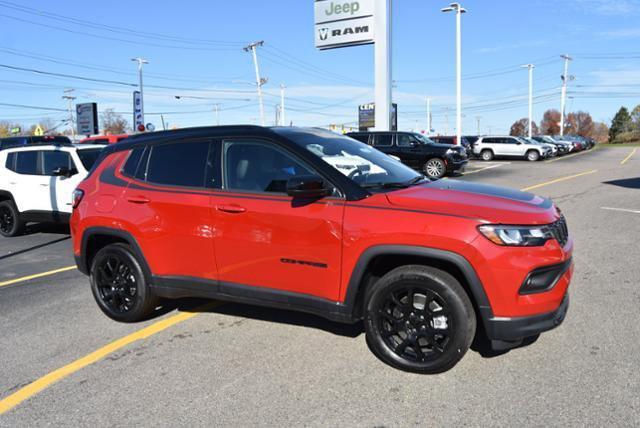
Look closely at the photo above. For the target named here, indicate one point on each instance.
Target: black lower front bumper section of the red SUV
(516, 328)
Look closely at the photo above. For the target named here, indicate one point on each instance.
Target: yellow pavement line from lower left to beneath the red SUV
(35, 387)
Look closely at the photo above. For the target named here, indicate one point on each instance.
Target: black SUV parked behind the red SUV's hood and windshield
(417, 151)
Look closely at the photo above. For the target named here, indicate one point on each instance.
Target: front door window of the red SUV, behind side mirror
(256, 167)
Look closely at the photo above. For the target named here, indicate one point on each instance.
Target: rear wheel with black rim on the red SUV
(119, 285)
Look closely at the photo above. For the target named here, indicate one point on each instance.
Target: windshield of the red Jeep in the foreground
(361, 163)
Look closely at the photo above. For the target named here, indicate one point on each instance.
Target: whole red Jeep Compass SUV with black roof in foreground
(305, 219)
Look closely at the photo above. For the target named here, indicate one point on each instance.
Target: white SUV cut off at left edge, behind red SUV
(37, 182)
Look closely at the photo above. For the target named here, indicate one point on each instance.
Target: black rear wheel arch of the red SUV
(96, 238)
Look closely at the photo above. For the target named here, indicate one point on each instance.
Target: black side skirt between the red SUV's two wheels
(172, 287)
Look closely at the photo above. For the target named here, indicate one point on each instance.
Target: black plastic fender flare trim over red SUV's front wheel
(475, 285)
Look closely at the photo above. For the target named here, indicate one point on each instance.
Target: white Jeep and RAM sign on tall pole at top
(343, 23)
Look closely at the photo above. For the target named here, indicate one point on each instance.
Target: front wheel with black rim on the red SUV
(426, 340)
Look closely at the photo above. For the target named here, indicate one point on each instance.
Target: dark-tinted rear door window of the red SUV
(179, 164)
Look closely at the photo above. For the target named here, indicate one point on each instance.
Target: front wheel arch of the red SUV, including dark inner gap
(376, 261)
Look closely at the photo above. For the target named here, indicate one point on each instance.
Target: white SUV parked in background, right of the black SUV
(491, 147)
